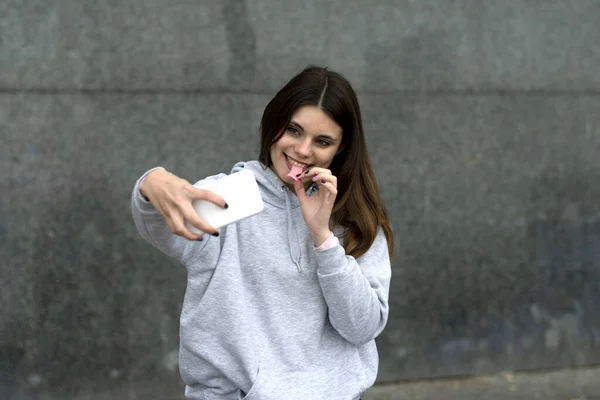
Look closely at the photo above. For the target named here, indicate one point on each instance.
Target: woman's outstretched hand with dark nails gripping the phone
(173, 196)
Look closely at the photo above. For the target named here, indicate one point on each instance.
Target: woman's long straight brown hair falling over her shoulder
(358, 207)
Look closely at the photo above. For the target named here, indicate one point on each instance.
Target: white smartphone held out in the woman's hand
(239, 190)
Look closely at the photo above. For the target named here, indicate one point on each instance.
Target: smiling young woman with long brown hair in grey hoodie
(285, 304)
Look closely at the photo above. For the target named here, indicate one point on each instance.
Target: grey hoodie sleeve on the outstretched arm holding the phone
(153, 228)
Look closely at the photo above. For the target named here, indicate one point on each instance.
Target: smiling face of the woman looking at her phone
(311, 139)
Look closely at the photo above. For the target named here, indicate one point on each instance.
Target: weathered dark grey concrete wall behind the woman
(482, 118)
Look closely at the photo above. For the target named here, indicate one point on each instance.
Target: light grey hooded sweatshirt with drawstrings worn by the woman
(266, 316)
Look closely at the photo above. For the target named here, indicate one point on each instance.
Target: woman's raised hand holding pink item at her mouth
(317, 208)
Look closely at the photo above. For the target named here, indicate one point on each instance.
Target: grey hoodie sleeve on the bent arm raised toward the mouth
(356, 290)
